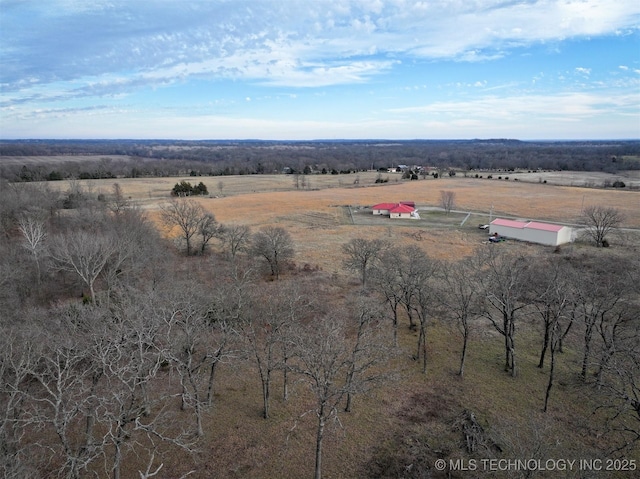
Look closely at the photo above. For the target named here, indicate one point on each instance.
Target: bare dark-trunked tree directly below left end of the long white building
(504, 287)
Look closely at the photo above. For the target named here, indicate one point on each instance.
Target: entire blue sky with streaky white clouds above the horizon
(320, 69)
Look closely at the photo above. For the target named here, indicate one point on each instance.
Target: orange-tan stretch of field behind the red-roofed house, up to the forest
(543, 202)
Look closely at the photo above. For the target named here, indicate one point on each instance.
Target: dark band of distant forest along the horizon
(205, 158)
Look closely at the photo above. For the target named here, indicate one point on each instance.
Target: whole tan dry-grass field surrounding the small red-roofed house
(319, 216)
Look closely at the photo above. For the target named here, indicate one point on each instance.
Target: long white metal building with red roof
(532, 231)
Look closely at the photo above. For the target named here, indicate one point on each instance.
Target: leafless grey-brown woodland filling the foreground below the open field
(116, 342)
